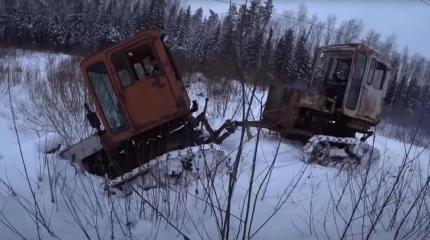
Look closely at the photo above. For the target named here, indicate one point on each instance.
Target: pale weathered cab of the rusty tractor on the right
(355, 77)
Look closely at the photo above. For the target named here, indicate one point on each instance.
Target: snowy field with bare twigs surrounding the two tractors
(43, 197)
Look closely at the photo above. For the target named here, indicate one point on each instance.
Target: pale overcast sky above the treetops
(409, 20)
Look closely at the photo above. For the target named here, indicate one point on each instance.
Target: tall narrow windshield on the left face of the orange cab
(108, 101)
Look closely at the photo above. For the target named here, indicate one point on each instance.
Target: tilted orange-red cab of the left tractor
(135, 88)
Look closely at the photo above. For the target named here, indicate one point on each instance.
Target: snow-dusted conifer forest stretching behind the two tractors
(264, 45)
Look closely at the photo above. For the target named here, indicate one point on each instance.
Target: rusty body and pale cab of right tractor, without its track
(345, 95)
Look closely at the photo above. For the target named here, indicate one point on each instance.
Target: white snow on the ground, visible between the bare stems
(306, 190)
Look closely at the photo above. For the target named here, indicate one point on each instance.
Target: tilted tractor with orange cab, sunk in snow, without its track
(143, 107)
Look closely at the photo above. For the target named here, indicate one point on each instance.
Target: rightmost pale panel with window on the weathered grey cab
(373, 91)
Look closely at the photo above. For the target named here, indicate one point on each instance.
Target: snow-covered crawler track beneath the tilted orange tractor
(170, 168)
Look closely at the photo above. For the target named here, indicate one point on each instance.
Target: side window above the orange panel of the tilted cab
(135, 64)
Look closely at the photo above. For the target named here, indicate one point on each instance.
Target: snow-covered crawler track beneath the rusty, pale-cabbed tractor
(345, 153)
